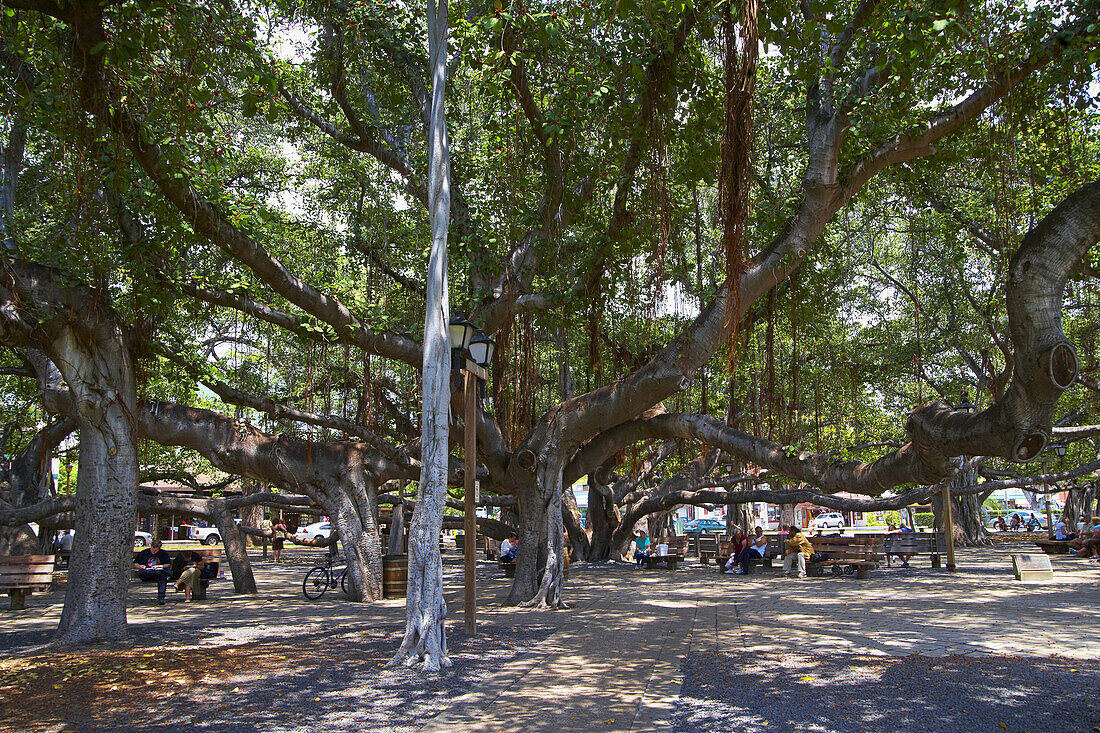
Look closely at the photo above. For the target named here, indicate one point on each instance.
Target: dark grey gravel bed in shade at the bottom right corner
(742, 694)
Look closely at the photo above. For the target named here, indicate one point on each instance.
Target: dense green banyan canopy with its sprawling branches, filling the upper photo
(217, 225)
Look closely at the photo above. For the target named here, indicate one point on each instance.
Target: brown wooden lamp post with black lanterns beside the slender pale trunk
(467, 340)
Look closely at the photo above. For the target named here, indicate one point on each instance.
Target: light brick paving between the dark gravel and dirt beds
(613, 662)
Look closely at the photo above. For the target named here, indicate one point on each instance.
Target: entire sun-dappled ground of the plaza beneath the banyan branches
(690, 650)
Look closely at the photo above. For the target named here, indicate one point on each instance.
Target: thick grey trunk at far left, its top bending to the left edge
(78, 330)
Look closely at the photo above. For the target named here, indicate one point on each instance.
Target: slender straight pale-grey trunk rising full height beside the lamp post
(425, 641)
